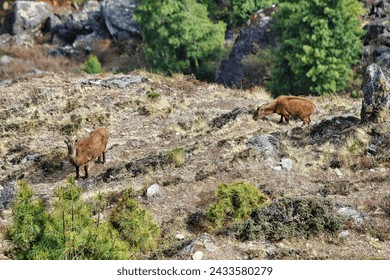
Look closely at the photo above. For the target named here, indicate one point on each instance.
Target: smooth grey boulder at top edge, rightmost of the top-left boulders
(118, 16)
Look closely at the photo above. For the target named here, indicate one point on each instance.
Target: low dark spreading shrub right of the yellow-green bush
(288, 217)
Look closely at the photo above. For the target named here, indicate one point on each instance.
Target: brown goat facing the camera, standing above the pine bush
(81, 152)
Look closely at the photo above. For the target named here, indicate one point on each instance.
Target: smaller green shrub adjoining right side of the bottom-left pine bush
(135, 224)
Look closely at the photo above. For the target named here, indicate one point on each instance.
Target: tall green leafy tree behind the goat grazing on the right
(318, 42)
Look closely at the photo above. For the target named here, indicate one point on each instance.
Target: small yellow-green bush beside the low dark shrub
(235, 202)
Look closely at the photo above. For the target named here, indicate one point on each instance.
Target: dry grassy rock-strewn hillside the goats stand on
(335, 158)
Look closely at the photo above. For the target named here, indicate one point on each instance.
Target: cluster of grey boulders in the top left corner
(72, 30)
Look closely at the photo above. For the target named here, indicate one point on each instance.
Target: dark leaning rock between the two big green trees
(256, 36)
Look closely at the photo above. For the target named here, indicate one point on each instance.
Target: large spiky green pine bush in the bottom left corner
(68, 232)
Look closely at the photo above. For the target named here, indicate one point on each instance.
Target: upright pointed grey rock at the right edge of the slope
(376, 99)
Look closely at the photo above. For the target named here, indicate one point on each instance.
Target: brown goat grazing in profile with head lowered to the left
(287, 106)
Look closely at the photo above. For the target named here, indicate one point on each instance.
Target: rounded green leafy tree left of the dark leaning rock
(179, 36)
